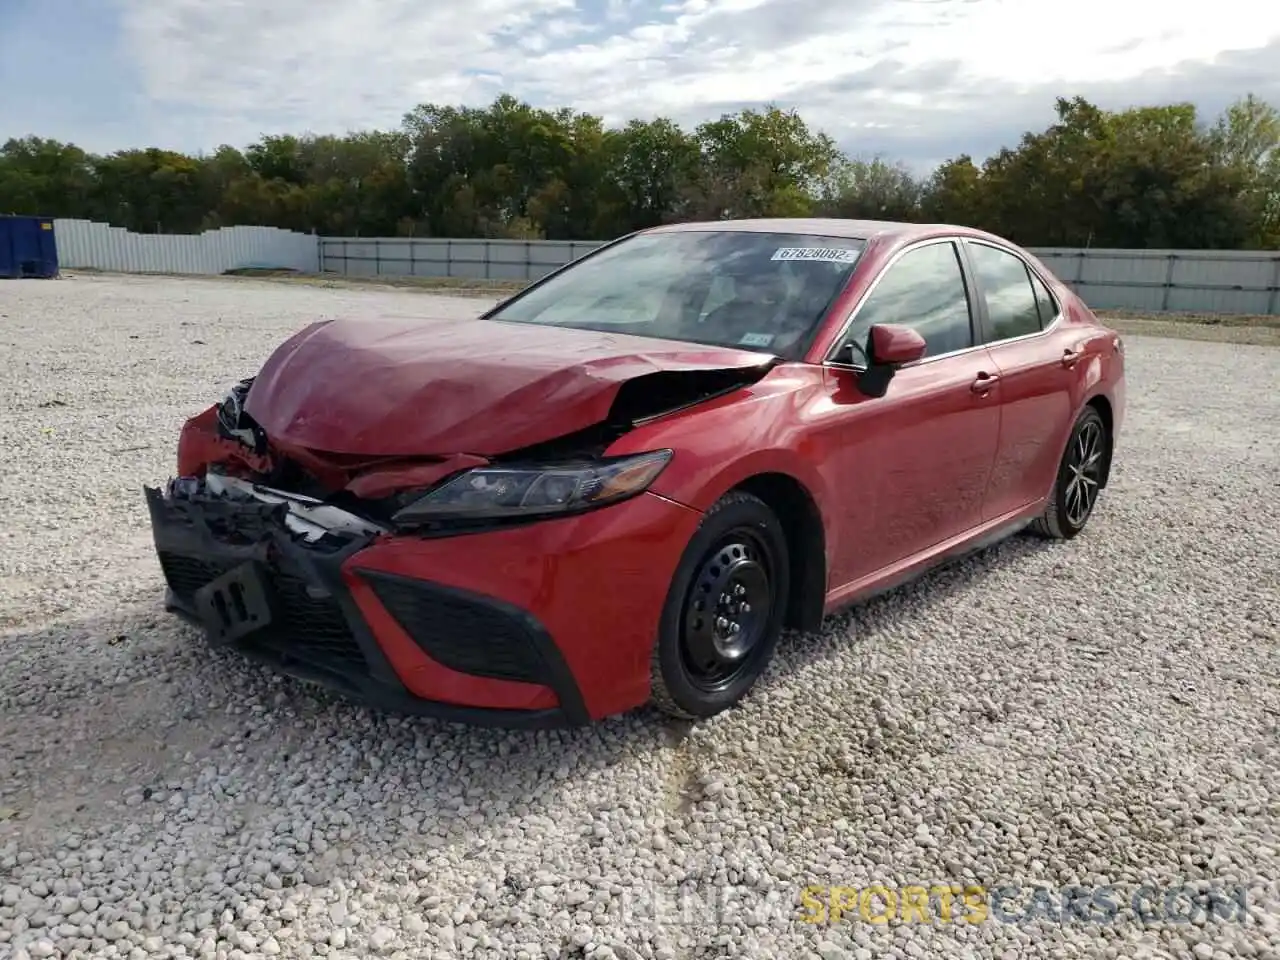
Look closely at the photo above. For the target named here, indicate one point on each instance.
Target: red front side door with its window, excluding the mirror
(912, 468)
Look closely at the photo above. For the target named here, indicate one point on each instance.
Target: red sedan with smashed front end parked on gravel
(621, 484)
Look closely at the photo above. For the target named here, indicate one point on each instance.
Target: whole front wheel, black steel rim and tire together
(724, 614)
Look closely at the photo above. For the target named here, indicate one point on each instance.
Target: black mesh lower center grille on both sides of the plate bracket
(309, 629)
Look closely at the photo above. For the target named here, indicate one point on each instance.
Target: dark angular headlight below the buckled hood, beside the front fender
(499, 492)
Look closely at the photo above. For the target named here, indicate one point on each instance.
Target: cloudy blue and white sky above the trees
(911, 80)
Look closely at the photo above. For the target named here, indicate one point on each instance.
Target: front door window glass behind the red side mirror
(924, 290)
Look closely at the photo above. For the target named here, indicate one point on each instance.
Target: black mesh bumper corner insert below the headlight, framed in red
(461, 634)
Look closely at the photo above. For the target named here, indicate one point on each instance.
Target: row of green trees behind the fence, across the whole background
(1158, 177)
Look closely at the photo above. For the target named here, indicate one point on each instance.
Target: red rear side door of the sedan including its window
(1036, 355)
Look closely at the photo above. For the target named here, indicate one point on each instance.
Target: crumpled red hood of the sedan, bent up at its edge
(414, 387)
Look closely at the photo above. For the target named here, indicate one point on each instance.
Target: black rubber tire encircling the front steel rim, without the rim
(744, 511)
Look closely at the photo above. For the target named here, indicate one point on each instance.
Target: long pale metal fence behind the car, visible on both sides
(1148, 281)
